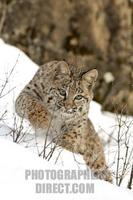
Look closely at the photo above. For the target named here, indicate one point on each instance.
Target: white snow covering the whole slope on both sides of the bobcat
(16, 70)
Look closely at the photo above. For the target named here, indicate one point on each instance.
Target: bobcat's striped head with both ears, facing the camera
(68, 96)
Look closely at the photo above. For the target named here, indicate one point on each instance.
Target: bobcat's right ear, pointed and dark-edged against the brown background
(89, 78)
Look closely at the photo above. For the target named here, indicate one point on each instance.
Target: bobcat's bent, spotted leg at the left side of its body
(32, 109)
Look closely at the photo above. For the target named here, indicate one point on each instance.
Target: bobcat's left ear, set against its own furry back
(62, 68)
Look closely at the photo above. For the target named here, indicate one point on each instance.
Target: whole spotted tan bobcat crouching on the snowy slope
(58, 97)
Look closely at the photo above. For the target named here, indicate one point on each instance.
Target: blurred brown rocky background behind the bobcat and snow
(90, 34)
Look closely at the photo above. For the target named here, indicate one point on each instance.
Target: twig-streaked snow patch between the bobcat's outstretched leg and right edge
(108, 126)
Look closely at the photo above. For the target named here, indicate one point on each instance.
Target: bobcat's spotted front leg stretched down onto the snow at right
(94, 155)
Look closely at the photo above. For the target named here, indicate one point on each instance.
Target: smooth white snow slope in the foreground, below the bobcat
(15, 160)
